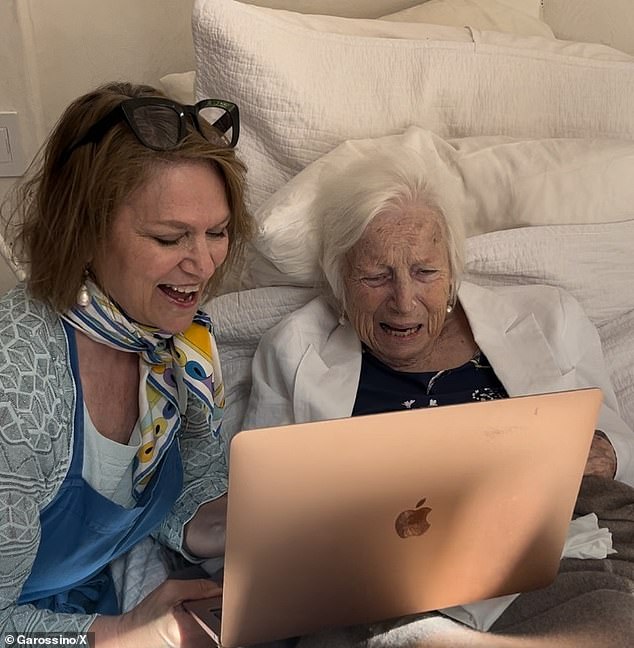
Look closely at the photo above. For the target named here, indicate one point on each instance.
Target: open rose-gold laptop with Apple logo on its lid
(362, 519)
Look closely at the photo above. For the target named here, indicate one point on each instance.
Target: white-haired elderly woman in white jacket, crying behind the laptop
(397, 328)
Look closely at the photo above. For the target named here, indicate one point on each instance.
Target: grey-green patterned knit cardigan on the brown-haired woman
(38, 397)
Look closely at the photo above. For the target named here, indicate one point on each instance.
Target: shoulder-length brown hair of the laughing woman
(62, 212)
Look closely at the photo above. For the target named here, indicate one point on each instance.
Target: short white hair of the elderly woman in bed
(370, 187)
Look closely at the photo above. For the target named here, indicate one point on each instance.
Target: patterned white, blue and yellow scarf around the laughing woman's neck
(170, 367)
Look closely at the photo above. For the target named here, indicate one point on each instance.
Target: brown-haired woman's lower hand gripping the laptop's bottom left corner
(159, 620)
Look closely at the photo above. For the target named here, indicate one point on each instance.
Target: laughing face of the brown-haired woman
(165, 244)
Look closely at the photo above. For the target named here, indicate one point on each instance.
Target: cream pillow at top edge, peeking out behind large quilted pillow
(481, 14)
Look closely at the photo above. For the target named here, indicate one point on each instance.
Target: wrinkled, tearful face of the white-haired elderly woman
(397, 286)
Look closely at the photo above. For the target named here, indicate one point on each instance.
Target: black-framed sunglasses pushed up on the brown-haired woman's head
(161, 124)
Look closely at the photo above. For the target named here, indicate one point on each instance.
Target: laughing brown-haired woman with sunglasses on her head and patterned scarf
(112, 394)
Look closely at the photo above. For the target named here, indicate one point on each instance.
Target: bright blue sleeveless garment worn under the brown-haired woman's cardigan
(82, 531)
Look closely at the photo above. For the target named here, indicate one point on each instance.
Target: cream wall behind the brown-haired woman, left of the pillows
(51, 51)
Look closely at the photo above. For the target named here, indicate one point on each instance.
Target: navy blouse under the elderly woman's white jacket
(382, 389)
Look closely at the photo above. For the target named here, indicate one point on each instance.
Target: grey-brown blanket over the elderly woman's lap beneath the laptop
(590, 603)
